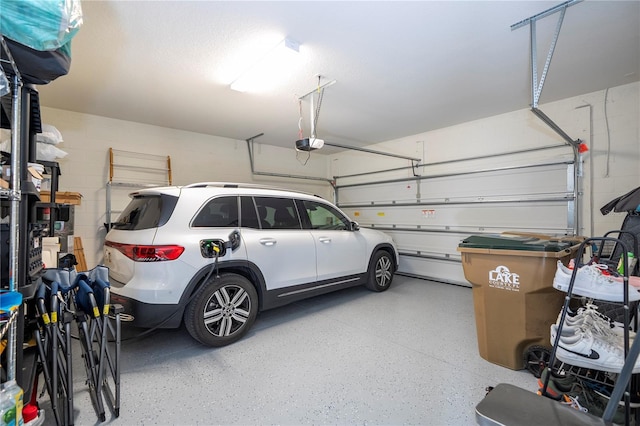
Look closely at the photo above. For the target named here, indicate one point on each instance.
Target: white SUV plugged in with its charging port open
(214, 254)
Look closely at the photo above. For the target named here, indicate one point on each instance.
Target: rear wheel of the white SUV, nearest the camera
(222, 310)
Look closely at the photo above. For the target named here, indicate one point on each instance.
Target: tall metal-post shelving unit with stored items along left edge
(20, 112)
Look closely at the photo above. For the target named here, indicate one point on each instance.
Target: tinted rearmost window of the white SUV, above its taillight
(145, 212)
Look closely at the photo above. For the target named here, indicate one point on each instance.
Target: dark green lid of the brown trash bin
(514, 242)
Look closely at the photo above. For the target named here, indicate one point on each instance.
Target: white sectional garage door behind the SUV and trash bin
(428, 216)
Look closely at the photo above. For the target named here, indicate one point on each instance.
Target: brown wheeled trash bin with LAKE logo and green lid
(513, 295)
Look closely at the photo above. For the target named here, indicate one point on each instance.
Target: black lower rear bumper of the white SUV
(146, 315)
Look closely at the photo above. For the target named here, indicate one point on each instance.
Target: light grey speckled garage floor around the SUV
(405, 356)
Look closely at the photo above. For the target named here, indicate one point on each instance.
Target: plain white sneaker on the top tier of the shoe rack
(591, 282)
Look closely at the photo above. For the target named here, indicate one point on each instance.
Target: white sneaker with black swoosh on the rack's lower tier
(583, 349)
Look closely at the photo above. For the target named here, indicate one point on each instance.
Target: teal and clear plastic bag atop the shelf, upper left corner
(41, 24)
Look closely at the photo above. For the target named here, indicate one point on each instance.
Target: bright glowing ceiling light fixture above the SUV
(270, 69)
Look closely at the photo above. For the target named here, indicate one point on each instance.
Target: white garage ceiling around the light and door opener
(401, 68)
